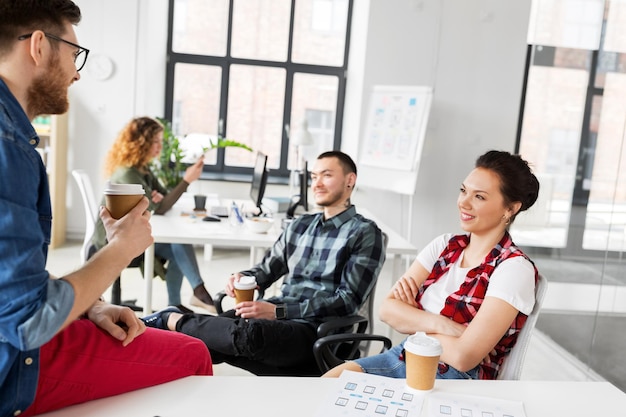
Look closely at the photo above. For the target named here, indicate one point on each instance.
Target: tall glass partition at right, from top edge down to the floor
(573, 128)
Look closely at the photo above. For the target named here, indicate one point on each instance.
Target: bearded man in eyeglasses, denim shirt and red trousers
(59, 343)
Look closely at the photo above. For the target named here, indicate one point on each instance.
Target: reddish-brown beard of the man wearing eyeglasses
(48, 93)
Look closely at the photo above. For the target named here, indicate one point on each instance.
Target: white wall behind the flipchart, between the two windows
(472, 53)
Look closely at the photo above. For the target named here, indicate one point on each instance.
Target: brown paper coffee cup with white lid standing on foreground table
(422, 357)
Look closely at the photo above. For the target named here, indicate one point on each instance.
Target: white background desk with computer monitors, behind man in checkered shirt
(175, 228)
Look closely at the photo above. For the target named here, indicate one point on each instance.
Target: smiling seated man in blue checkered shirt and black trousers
(330, 261)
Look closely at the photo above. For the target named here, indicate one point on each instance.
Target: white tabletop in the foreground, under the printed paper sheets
(292, 396)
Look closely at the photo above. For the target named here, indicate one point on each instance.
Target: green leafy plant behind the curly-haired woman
(170, 167)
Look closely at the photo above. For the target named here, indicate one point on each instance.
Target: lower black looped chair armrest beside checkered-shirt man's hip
(324, 348)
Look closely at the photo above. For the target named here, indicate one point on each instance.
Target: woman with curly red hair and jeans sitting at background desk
(139, 142)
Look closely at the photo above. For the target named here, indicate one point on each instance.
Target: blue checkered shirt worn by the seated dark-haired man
(330, 266)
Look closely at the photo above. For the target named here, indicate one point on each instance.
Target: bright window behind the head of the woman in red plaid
(573, 125)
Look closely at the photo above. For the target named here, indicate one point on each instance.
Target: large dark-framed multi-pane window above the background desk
(254, 71)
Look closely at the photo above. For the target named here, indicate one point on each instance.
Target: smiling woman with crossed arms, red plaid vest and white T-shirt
(474, 291)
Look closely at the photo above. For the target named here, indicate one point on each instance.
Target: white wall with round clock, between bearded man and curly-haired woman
(133, 33)
